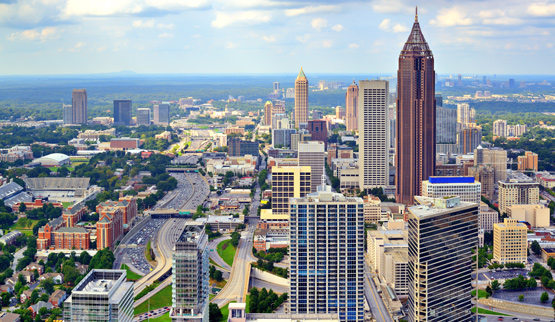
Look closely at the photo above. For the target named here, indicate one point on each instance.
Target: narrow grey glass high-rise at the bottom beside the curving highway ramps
(190, 287)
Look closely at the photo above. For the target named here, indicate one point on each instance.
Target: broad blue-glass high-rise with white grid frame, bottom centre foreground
(327, 261)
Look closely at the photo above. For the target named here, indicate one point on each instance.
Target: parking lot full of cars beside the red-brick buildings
(136, 255)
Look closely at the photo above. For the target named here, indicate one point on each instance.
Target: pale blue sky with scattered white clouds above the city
(272, 36)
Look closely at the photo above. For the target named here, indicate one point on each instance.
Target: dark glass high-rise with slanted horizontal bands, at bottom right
(442, 234)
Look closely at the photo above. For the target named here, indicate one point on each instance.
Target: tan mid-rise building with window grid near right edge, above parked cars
(510, 242)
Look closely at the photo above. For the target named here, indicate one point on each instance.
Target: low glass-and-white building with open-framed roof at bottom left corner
(102, 295)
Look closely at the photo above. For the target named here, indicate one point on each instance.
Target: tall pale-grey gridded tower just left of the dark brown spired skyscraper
(373, 139)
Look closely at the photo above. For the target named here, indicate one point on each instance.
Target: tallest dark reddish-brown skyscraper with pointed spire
(416, 109)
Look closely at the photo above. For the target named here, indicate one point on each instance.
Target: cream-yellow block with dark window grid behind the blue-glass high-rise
(288, 182)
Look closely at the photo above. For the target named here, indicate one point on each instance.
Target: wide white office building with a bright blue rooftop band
(466, 188)
